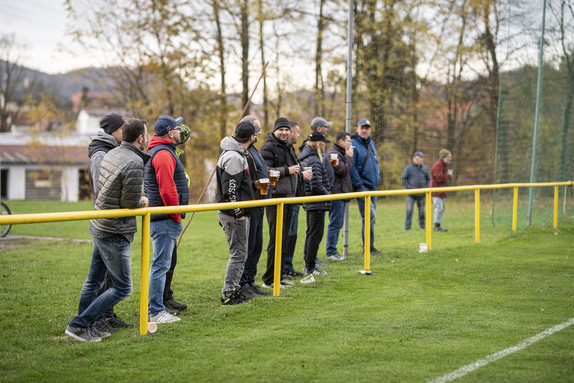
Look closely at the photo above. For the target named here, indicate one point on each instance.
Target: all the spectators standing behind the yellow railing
(124, 176)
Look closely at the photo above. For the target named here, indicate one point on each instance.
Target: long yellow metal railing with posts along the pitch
(280, 202)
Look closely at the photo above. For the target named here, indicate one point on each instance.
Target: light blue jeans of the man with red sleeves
(164, 235)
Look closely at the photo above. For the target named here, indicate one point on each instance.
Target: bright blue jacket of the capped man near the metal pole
(365, 152)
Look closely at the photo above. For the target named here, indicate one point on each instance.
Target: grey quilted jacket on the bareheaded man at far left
(121, 186)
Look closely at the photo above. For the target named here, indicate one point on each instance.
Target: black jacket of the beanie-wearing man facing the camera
(280, 156)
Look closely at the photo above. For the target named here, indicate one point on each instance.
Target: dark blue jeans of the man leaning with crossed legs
(112, 255)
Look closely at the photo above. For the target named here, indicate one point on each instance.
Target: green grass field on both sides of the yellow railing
(418, 317)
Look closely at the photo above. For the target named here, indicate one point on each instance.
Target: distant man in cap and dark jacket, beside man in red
(416, 176)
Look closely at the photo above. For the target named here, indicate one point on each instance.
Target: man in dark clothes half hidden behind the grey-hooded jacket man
(257, 170)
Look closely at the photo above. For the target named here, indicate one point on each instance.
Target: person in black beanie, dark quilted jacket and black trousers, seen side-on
(311, 156)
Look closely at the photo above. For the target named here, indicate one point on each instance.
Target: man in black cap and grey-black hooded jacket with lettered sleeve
(234, 184)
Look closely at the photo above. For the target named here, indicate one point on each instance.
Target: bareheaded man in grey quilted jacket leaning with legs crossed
(119, 187)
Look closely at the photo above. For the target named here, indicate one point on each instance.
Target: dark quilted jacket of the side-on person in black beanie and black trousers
(319, 184)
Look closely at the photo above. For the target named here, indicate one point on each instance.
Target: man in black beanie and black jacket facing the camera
(279, 155)
